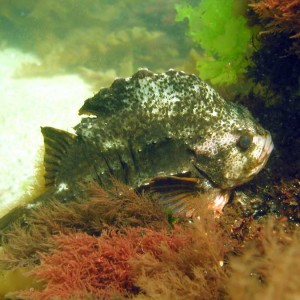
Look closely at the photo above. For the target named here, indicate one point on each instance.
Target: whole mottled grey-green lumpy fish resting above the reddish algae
(170, 133)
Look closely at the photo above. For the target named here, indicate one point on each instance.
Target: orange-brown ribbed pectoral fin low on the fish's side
(174, 192)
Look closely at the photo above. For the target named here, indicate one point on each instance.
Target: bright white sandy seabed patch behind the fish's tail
(26, 105)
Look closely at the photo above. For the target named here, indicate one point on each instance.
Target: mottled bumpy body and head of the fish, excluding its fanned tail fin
(161, 124)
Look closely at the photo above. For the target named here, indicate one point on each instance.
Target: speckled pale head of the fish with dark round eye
(233, 151)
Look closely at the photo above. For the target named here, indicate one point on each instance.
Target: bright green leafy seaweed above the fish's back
(222, 32)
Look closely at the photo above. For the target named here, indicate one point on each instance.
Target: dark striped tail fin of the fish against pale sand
(57, 143)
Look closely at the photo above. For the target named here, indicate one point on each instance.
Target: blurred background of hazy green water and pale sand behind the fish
(55, 54)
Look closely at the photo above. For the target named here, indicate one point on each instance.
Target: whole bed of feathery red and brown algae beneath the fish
(229, 257)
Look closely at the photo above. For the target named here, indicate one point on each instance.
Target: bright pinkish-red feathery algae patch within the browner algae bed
(83, 264)
